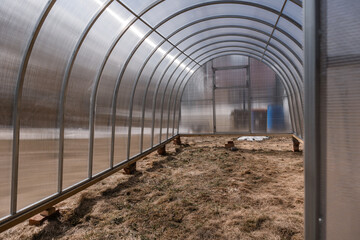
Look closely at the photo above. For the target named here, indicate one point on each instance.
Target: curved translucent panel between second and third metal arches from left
(77, 93)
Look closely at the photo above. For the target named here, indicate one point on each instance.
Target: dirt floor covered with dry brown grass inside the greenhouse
(199, 190)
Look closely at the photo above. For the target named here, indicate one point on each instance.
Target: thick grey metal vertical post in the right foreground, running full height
(315, 196)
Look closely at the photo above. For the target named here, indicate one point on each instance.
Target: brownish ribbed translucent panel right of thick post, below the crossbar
(342, 130)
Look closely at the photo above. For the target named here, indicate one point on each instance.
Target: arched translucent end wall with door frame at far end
(248, 96)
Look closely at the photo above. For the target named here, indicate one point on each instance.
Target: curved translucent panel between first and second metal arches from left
(40, 99)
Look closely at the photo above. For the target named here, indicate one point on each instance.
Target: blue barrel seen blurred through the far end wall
(275, 118)
